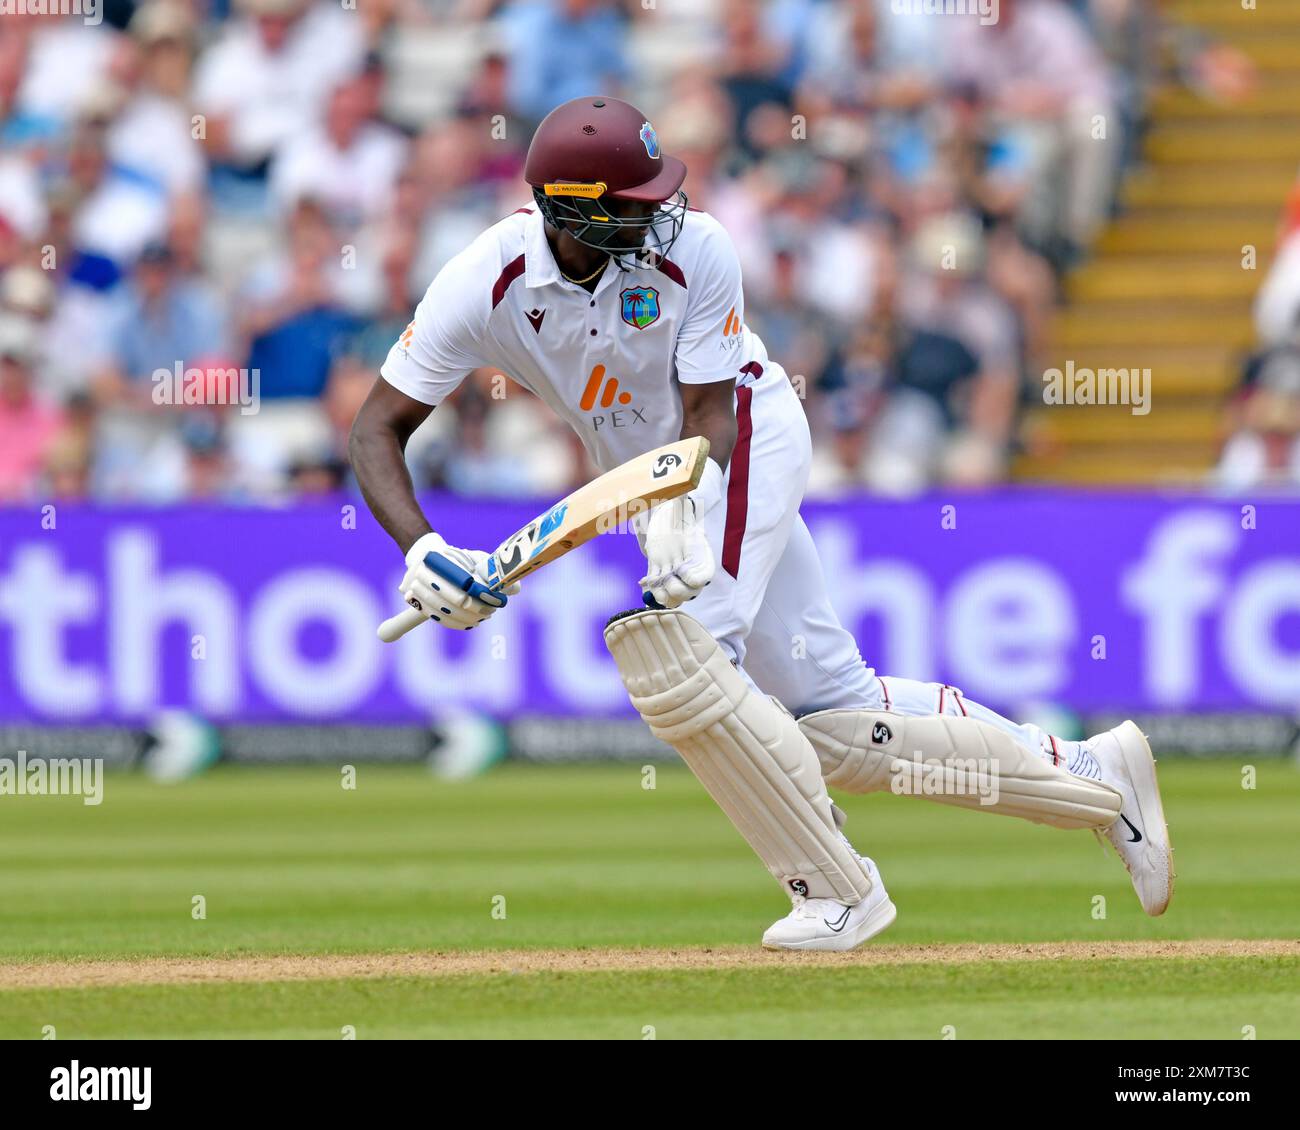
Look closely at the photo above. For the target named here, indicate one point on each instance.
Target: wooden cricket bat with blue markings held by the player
(601, 505)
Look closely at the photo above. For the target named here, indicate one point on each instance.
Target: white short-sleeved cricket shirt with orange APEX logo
(605, 362)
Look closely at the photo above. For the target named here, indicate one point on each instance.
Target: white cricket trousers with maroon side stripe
(769, 605)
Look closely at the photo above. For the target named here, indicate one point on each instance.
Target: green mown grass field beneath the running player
(586, 859)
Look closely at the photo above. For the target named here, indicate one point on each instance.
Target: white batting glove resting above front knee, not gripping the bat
(679, 560)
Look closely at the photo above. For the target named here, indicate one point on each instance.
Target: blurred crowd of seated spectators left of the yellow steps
(206, 187)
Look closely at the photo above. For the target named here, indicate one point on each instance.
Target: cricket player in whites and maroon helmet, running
(623, 310)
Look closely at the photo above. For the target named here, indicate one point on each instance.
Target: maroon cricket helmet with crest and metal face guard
(593, 149)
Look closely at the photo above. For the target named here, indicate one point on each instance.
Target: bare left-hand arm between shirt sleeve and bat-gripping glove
(376, 448)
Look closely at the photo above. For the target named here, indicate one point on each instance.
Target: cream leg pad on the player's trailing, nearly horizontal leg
(955, 761)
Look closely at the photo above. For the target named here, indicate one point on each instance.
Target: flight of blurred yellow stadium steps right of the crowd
(1168, 289)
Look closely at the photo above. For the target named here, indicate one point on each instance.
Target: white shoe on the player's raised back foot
(1141, 834)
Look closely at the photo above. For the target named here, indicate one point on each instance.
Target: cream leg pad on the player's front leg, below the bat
(747, 751)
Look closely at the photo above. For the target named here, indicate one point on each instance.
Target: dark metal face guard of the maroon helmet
(577, 209)
